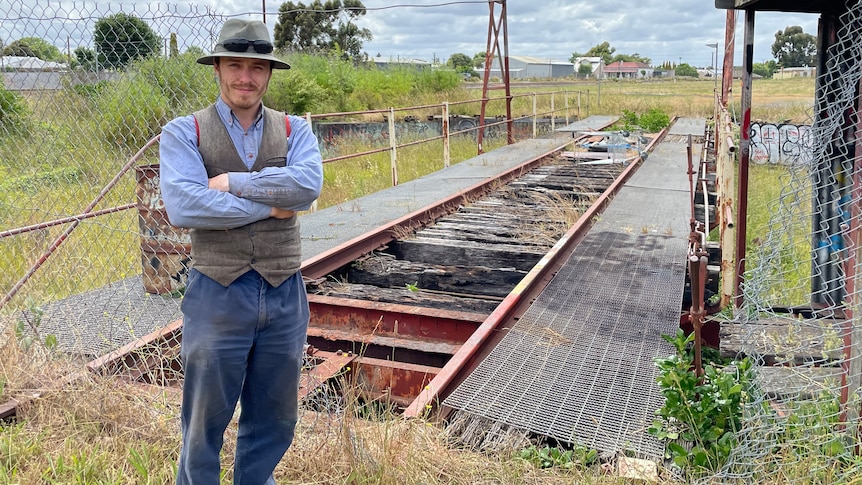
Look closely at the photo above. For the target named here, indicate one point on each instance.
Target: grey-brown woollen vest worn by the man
(271, 246)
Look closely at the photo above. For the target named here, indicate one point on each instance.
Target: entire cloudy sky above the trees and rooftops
(663, 30)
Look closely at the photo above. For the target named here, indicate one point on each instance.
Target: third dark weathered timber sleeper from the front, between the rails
(467, 252)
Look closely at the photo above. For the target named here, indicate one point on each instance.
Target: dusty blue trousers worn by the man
(241, 343)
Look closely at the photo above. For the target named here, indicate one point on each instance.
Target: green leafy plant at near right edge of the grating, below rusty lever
(704, 412)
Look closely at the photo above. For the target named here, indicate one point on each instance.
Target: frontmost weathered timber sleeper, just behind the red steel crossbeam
(404, 296)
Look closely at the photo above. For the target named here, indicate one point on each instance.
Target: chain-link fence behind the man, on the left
(72, 119)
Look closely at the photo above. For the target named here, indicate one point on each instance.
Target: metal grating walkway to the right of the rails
(578, 366)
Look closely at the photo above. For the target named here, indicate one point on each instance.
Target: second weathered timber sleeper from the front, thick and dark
(385, 270)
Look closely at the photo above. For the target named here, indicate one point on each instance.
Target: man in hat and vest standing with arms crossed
(235, 173)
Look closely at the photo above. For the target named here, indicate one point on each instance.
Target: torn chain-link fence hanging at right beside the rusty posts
(801, 317)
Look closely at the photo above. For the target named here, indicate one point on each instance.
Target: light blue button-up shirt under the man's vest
(189, 201)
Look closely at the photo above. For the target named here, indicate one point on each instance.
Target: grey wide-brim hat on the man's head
(235, 32)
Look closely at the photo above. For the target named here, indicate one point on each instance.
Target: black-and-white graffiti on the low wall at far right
(785, 143)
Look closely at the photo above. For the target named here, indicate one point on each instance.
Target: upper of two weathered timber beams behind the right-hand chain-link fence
(784, 340)
